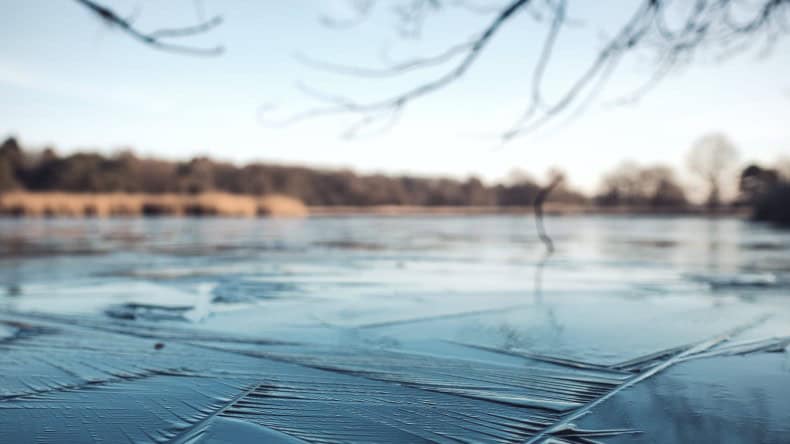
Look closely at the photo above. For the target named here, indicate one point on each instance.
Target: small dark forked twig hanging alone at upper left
(157, 38)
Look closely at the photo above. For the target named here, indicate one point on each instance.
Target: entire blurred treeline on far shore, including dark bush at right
(765, 190)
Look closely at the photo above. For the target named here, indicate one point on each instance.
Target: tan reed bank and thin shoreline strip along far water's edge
(24, 204)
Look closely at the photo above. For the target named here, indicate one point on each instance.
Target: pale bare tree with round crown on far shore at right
(710, 157)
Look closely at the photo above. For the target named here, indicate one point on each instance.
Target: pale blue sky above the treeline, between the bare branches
(69, 81)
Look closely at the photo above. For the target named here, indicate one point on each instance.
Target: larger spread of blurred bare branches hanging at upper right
(724, 26)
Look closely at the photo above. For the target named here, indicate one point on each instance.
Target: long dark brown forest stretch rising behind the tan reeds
(45, 170)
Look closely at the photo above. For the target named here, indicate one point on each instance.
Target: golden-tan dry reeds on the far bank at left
(21, 203)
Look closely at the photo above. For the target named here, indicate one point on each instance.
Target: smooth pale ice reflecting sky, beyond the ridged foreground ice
(618, 286)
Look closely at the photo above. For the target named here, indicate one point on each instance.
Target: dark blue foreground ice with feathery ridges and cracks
(78, 381)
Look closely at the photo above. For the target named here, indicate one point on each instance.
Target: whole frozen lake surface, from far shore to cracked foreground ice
(405, 329)
